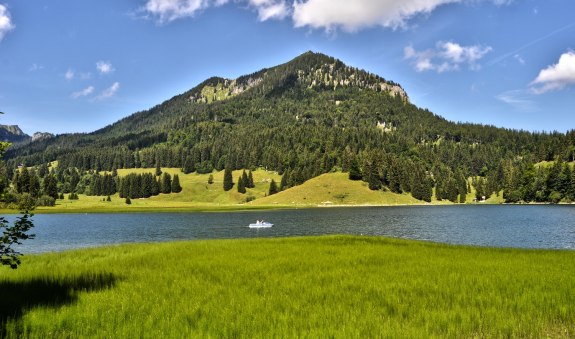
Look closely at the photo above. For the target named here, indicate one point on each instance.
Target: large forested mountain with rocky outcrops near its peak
(313, 115)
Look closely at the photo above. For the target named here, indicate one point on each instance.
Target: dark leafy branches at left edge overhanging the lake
(11, 236)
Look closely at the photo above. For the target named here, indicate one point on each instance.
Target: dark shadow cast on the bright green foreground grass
(17, 297)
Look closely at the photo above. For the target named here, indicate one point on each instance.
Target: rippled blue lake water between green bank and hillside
(484, 225)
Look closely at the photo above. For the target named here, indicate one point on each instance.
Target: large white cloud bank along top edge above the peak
(350, 15)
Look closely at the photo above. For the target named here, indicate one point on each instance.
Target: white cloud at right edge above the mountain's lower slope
(556, 77)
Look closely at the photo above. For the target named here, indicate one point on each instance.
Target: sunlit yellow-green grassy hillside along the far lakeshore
(331, 189)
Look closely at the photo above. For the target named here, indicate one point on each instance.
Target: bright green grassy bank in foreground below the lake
(332, 286)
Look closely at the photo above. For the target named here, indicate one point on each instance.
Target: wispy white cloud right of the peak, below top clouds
(446, 56)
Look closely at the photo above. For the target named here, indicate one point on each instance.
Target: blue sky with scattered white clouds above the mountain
(76, 66)
